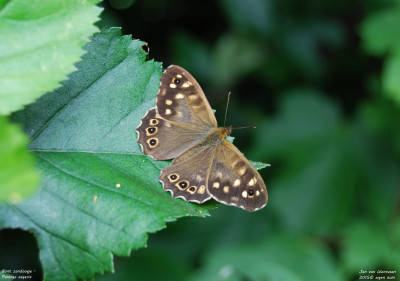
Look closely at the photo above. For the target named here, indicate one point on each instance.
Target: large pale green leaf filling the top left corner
(39, 42)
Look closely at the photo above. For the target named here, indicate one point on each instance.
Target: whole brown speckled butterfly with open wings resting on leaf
(183, 127)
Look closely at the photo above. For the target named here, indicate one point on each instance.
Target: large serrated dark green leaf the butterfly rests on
(100, 195)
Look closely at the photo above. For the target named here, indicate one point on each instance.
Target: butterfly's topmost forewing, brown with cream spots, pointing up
(182, 100)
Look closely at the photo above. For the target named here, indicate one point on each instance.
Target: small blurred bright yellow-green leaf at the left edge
(19, 178)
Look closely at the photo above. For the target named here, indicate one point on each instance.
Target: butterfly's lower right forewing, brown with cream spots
(234, 181)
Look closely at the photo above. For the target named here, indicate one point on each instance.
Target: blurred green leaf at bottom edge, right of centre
(280, 257)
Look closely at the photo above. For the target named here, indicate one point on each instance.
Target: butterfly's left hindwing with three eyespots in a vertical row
(155, 136)
